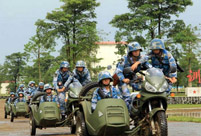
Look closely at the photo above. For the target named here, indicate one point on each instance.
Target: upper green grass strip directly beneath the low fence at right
(177, 106)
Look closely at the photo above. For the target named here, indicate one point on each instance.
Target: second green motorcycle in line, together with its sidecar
(47, 114)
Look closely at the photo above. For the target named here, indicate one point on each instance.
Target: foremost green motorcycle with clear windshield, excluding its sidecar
(148, 107)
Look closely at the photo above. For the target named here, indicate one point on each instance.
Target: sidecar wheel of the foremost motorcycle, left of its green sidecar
(81, 129)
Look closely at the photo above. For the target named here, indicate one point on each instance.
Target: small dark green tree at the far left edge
(15, 64)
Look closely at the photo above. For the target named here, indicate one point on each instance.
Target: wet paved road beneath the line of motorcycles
(20, 127)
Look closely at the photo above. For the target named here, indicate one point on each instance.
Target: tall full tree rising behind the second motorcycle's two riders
(74, 24)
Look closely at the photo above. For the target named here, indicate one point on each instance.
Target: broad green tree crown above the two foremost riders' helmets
(147, 19)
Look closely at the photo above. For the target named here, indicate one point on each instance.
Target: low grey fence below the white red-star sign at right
(184, 100)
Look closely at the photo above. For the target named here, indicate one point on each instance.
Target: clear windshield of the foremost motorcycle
(155, 77)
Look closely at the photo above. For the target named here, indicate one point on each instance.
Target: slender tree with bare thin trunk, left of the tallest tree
(40, 44)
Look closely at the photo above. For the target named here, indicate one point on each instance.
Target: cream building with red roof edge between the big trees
(106, 51)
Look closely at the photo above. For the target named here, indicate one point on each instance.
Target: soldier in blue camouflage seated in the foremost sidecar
(105, 90)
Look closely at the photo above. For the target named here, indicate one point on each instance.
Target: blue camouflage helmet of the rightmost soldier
(157, 44)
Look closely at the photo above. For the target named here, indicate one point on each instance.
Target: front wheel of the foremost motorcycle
(160, 122)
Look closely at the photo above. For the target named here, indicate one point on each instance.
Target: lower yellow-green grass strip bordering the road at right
(184, 119)
